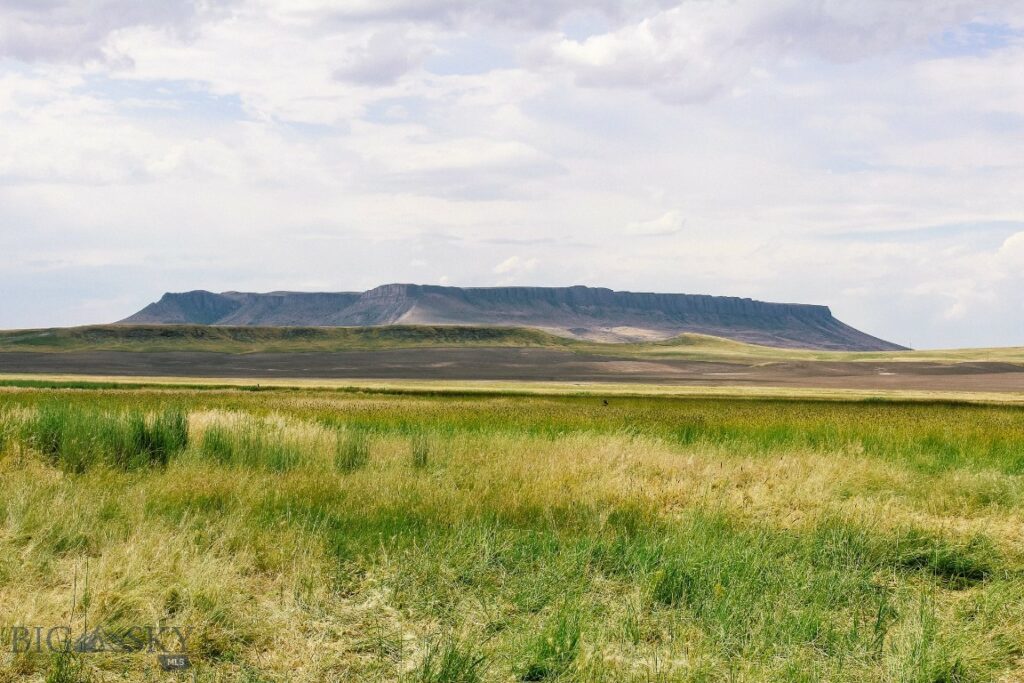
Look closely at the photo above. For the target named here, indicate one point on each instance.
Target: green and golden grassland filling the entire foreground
(311, 536)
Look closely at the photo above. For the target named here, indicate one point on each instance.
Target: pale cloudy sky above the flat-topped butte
(868, 155)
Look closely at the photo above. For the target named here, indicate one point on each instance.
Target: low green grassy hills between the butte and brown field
(245, 340)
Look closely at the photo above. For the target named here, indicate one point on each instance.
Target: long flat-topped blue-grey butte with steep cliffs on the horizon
(580, 312)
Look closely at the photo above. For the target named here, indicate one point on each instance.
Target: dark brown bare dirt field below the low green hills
(525, 365)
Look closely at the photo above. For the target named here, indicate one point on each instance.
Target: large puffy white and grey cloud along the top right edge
(698, 51)
